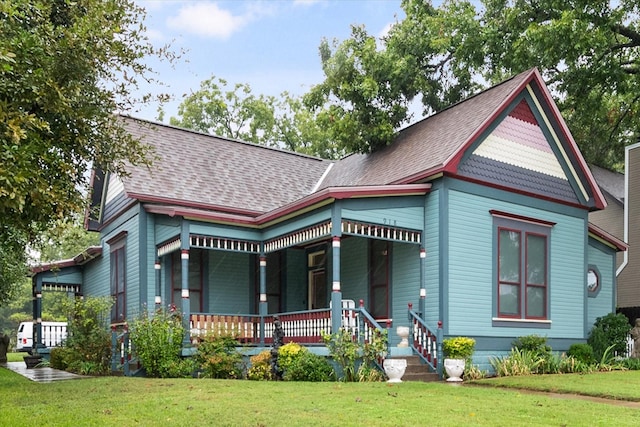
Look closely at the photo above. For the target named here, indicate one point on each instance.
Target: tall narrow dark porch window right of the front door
(379, 279)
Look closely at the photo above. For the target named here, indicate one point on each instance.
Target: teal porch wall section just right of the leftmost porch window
(229, 283)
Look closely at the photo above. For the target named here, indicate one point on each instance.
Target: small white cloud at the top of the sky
(207, 19)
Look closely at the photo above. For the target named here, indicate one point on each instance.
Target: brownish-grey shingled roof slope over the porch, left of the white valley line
(204, 171)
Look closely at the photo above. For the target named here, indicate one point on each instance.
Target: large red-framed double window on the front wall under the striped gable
(523, 248)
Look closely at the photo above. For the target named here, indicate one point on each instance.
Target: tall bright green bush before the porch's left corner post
(157, 341)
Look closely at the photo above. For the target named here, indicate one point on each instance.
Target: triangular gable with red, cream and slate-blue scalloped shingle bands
(517, 154)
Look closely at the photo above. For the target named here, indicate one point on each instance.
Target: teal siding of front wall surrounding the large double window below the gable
(470, 258)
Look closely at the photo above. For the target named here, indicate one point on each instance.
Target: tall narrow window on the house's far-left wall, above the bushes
(118, 277)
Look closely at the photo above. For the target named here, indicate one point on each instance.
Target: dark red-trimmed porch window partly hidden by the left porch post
(196, 274)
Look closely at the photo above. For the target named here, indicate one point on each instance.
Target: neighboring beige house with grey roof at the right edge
(621, 218)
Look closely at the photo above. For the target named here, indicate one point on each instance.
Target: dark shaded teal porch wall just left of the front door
(295, 288)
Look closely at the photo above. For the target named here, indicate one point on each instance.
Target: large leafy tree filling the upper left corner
(65, 68)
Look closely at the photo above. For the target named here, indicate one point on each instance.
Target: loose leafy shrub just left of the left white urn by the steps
(346, 351)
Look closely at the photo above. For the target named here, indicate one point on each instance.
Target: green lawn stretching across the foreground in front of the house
(118, 401)
